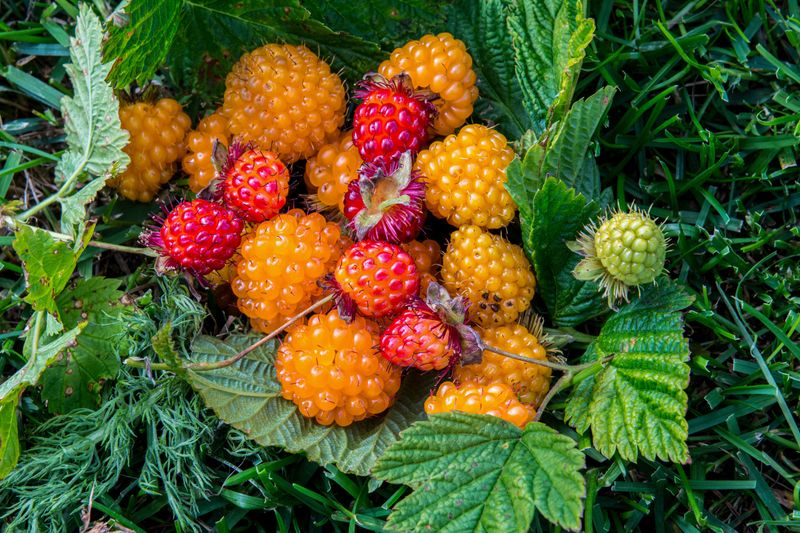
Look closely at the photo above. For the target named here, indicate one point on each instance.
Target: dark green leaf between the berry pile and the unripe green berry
(558, 214)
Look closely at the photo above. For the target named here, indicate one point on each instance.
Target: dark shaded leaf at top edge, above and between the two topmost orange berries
(391, 23)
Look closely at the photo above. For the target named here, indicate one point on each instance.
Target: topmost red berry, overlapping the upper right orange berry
(390, 119)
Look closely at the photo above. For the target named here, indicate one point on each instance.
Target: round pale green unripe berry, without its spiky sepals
(631, 248)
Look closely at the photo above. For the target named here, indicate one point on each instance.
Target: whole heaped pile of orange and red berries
(371, 184)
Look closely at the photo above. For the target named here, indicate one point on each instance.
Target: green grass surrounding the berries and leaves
(704, 131)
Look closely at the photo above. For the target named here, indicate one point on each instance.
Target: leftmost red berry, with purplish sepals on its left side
(197, 236)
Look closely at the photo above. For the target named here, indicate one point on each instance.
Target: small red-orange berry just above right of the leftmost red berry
(256, 183)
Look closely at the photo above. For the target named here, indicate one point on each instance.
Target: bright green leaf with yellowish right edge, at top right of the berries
(550, 38)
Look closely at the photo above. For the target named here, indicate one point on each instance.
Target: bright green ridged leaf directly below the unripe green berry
(637, 404)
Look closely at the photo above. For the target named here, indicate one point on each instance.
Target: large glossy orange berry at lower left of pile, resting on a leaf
(333, 372)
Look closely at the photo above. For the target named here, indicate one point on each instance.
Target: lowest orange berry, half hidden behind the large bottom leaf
(496, 399)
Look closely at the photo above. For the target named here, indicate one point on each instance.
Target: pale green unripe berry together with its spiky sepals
(626, 250)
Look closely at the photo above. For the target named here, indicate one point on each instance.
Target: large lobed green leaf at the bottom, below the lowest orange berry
(479, 473)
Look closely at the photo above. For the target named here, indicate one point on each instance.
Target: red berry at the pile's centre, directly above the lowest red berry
(377, 278)
